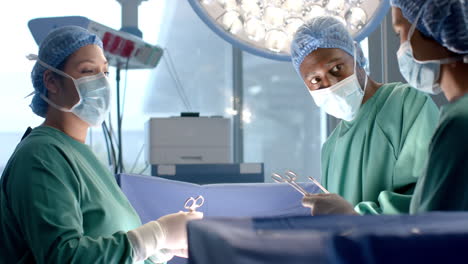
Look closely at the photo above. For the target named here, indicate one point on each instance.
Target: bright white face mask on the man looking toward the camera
(343, 99)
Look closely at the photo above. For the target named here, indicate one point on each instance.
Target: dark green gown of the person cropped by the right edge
(444, 185)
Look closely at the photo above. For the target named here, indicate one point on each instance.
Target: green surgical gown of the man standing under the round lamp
(374, 160)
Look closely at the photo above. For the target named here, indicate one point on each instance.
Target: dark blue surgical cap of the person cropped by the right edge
(445, 21)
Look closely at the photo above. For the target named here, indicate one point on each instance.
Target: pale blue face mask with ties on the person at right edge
(422, 75)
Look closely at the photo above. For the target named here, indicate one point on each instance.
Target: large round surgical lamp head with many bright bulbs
(266, 27)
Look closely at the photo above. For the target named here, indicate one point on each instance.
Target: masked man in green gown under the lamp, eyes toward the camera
(375, 154)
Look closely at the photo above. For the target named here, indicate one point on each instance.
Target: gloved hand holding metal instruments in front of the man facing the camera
(327, 203)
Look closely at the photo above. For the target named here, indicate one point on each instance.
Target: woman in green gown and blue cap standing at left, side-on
(58, 203)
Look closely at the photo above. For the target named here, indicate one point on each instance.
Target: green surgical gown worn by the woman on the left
(59, 204)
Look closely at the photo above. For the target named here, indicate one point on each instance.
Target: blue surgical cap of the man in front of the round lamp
(323, 32)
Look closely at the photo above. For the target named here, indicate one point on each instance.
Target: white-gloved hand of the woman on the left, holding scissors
(168, 232)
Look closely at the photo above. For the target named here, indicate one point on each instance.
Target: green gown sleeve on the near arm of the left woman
(45, 198)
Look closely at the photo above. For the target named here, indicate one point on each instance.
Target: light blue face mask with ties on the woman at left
(94, 92)
